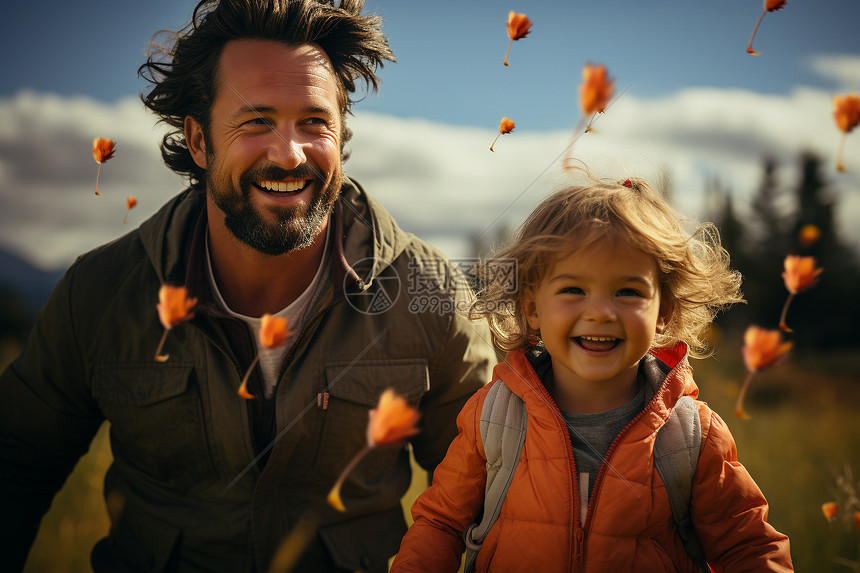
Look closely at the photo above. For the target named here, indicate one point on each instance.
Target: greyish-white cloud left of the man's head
(48, 211)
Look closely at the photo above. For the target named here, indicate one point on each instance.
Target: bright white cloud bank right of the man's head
(440, 180)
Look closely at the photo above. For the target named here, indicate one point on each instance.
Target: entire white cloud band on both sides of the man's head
(439, 181)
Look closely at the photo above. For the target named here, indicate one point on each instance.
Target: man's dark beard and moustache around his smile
(293, 230)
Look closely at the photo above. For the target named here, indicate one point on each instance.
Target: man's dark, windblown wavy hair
(184, 71)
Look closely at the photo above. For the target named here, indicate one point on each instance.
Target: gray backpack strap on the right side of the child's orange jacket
(676, 455)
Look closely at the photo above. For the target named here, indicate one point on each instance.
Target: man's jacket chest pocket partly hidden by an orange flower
(353, 390)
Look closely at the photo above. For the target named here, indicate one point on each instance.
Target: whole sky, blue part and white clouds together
(695, 106)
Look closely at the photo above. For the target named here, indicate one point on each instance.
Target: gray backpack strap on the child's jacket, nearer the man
(503, 431)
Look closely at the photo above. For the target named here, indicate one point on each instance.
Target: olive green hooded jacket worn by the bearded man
(194, 485)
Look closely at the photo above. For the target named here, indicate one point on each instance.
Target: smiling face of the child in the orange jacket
(598, 310)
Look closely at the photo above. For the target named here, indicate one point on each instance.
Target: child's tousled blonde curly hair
(695, 278)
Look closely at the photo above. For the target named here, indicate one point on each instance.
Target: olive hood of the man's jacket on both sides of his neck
(368, 239)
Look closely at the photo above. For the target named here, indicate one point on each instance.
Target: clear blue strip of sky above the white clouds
(450, 52)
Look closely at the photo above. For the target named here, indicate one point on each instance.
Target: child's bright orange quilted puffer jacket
(628, 525)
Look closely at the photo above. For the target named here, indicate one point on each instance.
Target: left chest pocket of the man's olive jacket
(156, 418)
